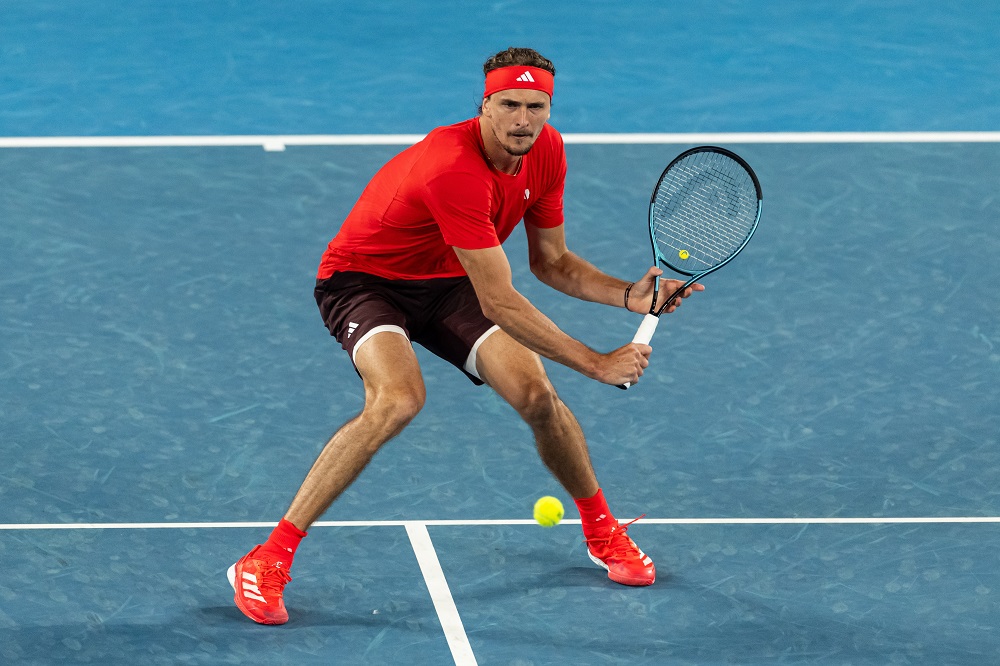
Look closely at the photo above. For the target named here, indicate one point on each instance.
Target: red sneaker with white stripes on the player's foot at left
(261, 581)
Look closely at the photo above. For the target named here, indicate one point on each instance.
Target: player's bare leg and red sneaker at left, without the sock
(394, 394)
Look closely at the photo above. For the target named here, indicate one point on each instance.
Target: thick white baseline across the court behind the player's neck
(278, 142)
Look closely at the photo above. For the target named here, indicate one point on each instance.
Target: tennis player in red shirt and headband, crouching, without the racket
(419, 260)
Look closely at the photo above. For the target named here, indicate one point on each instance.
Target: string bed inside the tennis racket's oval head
(704, 211)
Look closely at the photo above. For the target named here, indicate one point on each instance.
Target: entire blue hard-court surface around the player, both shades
(165, 380)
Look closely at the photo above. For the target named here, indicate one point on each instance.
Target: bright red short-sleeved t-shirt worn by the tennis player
(441, 193)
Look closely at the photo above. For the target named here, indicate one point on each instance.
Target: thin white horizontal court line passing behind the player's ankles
(884, 520)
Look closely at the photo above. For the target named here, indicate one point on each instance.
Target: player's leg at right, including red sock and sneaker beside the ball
(517, 375)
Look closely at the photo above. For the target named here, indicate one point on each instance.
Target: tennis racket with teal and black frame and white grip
(703, 212)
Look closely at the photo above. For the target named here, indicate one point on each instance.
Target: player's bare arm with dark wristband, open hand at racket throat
(553, 263)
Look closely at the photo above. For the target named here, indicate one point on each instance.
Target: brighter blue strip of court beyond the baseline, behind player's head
(313, 67)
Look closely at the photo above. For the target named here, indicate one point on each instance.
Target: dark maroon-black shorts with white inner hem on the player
(443, 315)
